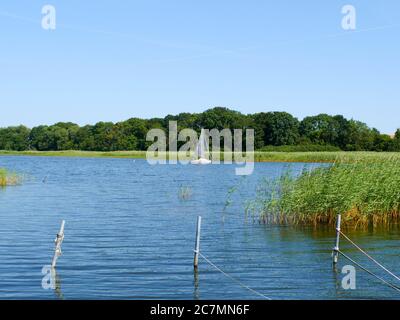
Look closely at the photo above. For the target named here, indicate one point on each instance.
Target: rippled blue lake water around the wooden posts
(130, 235)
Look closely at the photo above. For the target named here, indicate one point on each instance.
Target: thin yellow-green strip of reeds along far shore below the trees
(259, 156)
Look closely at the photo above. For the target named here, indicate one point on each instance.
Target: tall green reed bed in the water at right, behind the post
(365, 190)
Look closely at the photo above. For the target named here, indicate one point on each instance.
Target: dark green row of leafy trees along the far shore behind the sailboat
(273, 131)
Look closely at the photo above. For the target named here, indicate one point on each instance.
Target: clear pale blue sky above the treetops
(112, 60)
